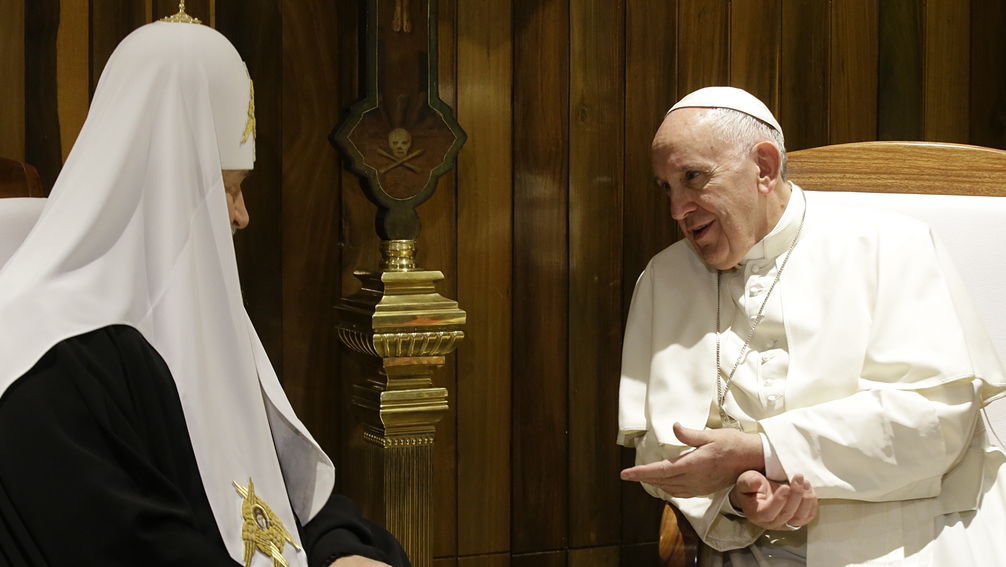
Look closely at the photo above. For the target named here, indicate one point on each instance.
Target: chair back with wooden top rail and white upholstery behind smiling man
(958, 191)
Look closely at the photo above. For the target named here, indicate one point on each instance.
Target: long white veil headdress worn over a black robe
(136, 233)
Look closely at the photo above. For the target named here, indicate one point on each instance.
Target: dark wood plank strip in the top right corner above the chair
(988, 74)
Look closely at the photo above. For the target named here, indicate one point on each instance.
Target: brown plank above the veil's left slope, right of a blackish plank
(73, 72)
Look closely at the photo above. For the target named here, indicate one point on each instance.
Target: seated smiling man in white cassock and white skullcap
(804, 382)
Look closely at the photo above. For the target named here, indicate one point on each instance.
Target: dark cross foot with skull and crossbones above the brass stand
(402, 138)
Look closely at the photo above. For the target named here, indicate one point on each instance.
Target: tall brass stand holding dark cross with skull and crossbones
(400, 139)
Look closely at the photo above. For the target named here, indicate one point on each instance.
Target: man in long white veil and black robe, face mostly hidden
(141, 423)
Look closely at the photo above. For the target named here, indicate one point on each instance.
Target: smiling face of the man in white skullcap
(714, 187)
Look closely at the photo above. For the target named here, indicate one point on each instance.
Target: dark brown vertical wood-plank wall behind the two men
(547, 221)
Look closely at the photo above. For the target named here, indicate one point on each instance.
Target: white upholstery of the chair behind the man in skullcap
(973, 229)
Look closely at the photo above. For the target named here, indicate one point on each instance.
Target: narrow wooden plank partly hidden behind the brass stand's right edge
(438, 251)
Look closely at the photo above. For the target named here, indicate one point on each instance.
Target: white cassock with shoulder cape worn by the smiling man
(867, 375)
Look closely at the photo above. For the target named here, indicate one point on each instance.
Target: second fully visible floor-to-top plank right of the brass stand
(541, 273)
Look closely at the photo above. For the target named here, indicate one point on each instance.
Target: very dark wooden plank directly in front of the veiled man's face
(255, 29)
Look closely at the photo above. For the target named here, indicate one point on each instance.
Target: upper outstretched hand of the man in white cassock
(720, 457)
